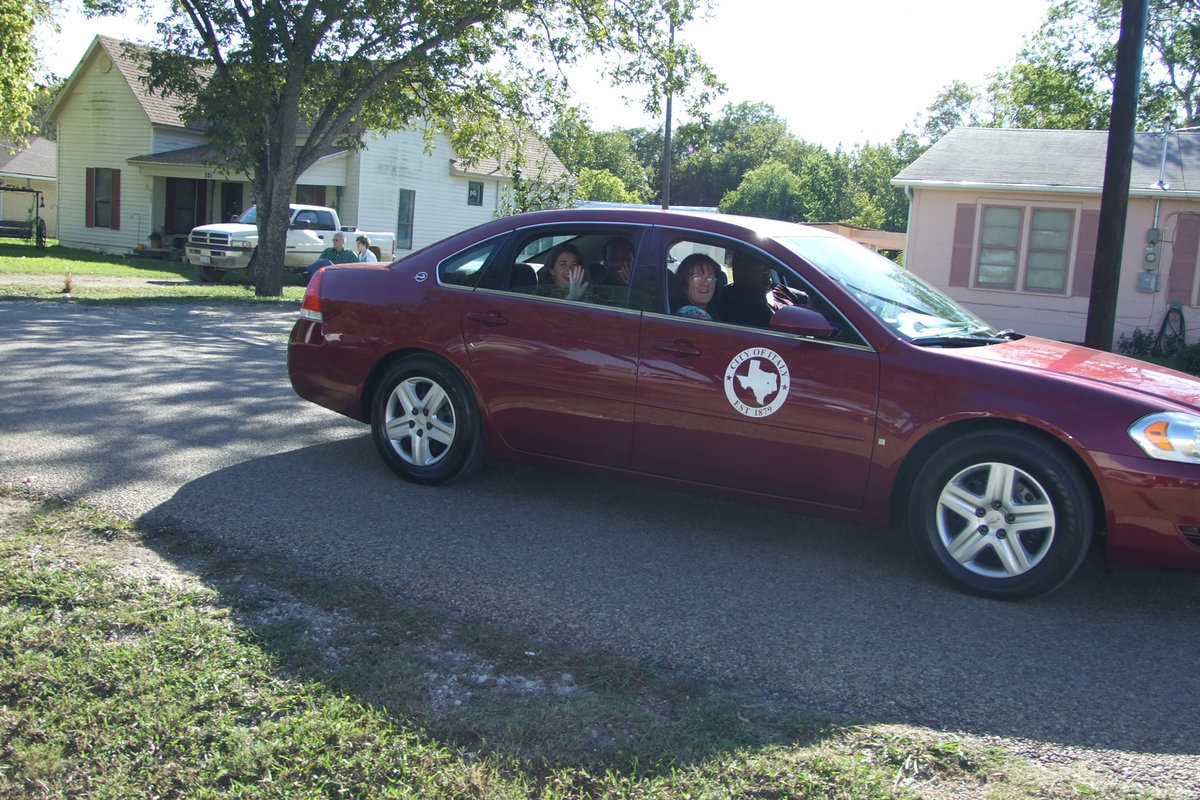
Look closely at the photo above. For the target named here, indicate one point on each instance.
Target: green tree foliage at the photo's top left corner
(20, 97)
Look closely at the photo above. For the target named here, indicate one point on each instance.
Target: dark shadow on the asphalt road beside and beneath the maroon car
(831, 619)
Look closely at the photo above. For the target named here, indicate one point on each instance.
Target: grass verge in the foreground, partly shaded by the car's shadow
(146, 664)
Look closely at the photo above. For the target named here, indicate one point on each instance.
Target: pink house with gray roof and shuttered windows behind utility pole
(1006, 222)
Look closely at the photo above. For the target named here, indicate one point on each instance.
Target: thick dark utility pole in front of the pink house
(1102, 309)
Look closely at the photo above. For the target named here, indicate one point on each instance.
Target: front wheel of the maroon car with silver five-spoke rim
(1001, 515)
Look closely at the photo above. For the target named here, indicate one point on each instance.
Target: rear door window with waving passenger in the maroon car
(592, 264)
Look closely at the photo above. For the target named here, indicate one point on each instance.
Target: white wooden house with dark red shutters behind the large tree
(130, 169)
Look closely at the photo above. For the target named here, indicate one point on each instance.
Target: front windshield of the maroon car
(903, 302)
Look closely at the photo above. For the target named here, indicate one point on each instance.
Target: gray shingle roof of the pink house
(1053, 161)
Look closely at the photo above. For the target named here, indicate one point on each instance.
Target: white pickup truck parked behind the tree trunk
(229, 248)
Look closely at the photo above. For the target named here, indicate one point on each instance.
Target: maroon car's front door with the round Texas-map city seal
(755, 410)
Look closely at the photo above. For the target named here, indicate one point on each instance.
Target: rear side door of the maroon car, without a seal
(557, 376)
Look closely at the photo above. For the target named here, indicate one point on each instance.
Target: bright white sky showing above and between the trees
(838, 73)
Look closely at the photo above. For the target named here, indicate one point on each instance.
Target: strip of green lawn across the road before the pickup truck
(56, 272)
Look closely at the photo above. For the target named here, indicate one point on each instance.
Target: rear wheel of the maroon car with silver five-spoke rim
(425, 422)
